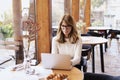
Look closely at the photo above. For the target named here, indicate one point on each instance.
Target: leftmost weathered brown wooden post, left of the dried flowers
(17, 29)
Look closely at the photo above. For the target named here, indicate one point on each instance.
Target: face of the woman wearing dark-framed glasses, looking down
(66, 29)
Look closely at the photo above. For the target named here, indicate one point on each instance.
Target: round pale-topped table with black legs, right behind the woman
(95, 41)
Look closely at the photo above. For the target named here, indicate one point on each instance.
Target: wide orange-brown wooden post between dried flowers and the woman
(44, 22)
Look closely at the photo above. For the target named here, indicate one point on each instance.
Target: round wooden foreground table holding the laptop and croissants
(40, 73)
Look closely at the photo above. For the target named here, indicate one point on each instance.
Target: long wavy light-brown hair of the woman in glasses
(73, 35)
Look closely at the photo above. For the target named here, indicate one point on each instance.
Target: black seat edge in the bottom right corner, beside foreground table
(96, 76)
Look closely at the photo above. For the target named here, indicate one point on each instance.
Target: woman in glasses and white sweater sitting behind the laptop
(67, 41)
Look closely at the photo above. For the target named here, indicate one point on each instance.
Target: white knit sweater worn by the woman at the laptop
(74, 50)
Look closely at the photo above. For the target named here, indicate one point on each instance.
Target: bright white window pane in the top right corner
(112, 14)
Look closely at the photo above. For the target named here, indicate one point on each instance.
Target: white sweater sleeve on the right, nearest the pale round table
(77, 55)
